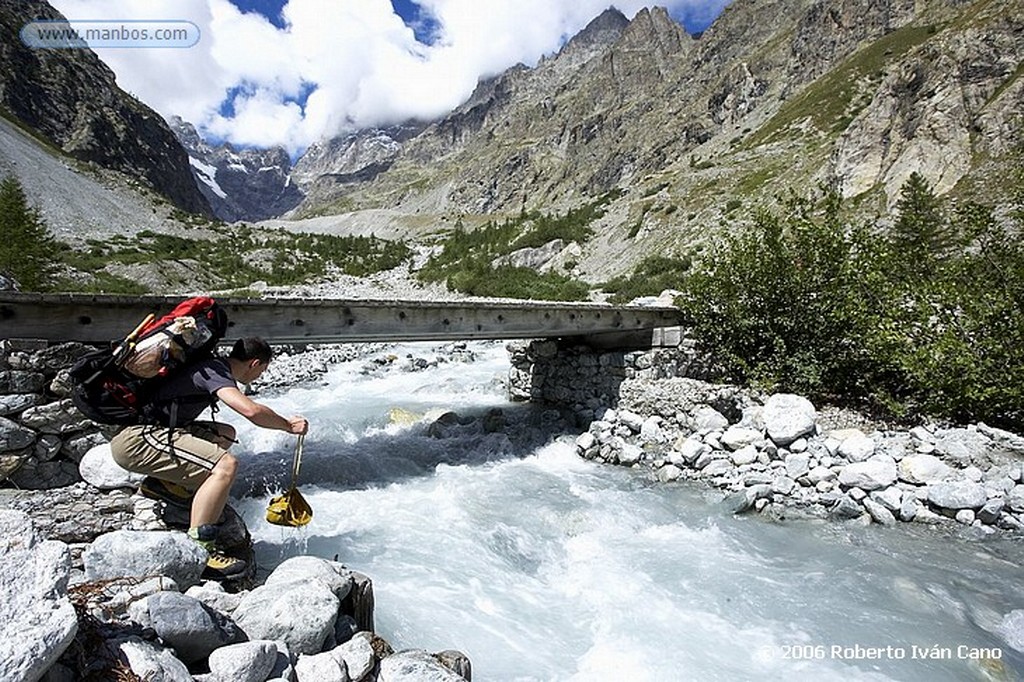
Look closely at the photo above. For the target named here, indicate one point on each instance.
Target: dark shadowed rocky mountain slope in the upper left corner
(70, 99)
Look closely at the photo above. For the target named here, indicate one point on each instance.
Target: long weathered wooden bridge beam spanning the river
(99, 319)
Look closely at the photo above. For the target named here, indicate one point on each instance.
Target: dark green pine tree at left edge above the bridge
(27, 248)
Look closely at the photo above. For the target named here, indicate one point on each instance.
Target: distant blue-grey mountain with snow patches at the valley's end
(241, 185)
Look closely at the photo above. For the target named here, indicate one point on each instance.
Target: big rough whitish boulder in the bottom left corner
(39, 620)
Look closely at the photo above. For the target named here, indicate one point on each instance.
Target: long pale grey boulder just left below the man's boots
(143, 553)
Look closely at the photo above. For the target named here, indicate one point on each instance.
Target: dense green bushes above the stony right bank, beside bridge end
(928, 318)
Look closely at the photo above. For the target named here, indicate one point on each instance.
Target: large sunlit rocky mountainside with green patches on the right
(775, 96)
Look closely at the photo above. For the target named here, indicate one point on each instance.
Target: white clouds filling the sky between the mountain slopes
(336, 66)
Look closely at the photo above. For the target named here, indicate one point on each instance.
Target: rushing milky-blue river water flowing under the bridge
(541, 566)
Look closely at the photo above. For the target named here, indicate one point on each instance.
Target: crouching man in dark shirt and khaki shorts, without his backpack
(192, 461)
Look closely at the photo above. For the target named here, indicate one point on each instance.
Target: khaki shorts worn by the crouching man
(186, 458)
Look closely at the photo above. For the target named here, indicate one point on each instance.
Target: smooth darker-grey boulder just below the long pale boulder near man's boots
(190, 627)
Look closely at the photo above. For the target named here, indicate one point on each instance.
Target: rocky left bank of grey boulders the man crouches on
(101, 583)
